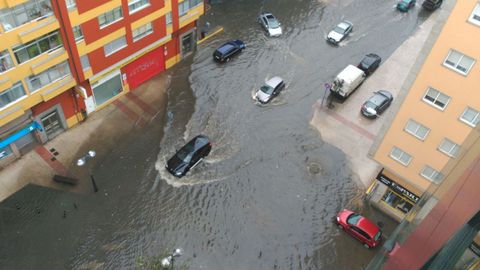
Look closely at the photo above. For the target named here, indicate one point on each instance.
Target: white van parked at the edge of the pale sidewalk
(347, 81)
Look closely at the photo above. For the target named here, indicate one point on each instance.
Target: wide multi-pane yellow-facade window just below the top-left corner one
(36, 47)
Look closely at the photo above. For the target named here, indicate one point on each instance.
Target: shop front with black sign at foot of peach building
(392, 194)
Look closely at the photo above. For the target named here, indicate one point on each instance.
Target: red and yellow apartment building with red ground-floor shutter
(61, 60)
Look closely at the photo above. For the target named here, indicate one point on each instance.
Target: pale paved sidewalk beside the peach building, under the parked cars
(344, 126)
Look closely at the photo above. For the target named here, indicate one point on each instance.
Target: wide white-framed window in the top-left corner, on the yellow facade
(23, 13)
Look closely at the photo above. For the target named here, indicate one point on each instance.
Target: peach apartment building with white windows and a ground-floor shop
(438, 107)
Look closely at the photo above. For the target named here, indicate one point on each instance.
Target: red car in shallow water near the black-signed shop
(359, 227)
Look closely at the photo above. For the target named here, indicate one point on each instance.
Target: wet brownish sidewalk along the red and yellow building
(101, 132)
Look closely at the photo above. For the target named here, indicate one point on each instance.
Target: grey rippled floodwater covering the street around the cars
(264, 198)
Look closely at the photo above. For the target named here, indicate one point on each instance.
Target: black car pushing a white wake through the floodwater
(189, 156)
